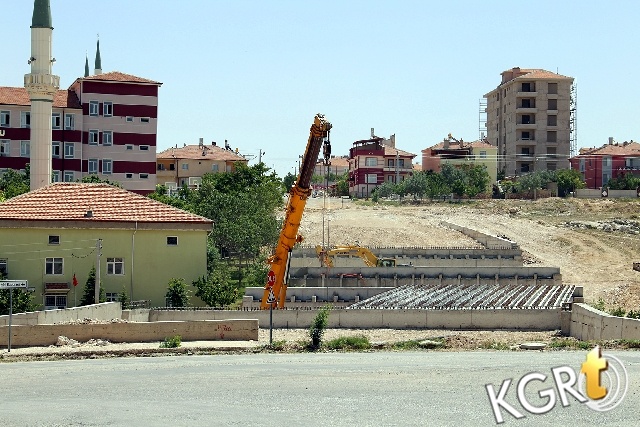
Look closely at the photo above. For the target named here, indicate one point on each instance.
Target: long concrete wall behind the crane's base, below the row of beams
(541, 320)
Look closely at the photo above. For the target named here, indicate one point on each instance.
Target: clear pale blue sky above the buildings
(255, 73)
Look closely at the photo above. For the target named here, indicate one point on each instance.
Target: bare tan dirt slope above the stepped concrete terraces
(594, 242)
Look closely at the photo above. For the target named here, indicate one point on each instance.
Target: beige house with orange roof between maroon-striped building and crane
(180, 166)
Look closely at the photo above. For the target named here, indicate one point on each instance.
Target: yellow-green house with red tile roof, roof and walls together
(56, 233)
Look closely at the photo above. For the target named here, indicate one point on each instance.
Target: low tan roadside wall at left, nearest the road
(207, 330)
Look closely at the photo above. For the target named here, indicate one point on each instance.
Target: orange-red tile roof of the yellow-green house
(71, 202)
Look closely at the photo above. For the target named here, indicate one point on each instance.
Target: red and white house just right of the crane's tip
(374, 161)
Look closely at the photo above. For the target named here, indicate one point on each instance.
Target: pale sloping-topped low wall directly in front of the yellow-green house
(103, 311)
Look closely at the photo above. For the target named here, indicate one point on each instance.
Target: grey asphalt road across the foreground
(328, 389)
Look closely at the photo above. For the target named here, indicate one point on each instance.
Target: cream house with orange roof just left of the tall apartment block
(456, 152)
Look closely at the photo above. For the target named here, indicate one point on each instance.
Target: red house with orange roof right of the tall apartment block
(600, 164)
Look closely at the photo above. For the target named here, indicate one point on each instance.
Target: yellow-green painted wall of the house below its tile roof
(149, 263)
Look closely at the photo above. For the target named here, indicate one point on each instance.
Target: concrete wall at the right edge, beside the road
(588, 324)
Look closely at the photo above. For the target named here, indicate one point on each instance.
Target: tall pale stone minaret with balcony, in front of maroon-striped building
(41, 86)
